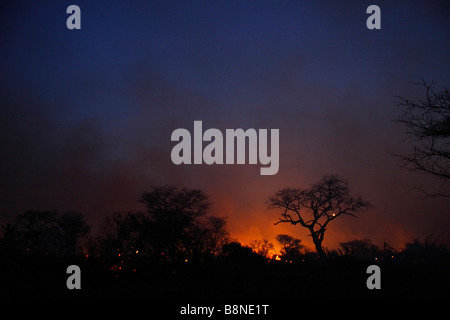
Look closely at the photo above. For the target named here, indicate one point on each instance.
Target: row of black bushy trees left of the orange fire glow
(174, 228)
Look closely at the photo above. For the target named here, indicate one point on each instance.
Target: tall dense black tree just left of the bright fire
(180, 229)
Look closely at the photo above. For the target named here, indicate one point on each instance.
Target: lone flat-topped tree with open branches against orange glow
(316, 207)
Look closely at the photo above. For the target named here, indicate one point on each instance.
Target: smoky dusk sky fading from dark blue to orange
(86, 115)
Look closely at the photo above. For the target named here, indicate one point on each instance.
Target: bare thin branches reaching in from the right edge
(427, 125)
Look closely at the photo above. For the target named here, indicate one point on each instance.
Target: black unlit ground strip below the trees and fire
(45, 278)
